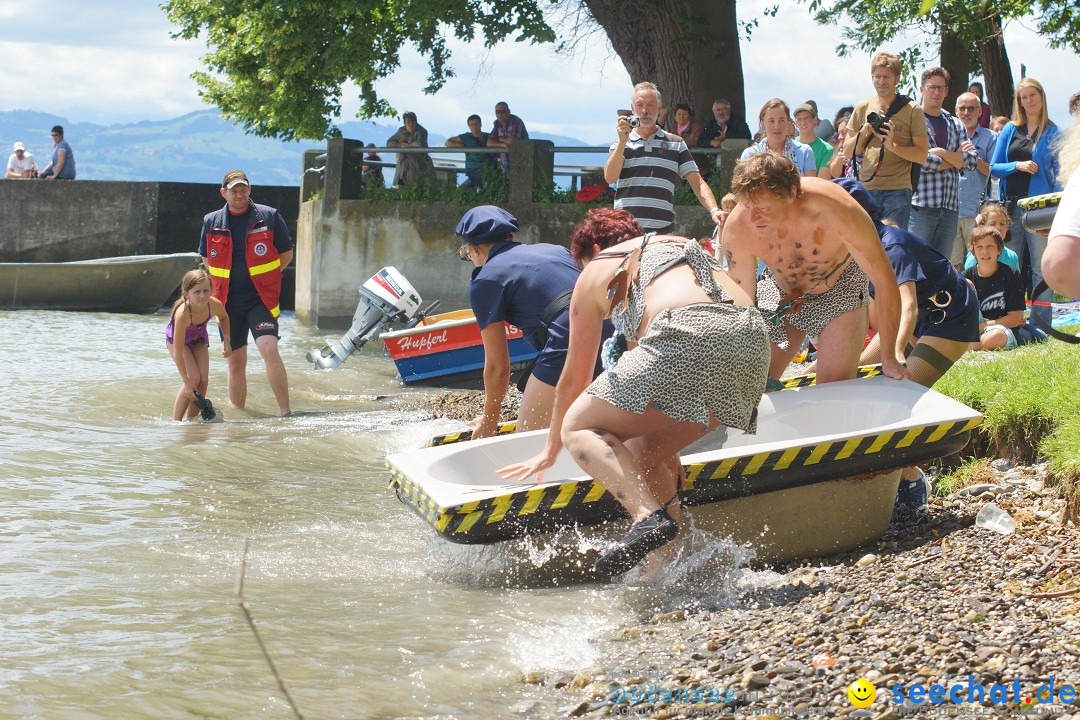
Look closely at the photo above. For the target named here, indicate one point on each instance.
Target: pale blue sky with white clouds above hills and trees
(114, 61)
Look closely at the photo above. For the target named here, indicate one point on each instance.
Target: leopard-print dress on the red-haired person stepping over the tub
(694, 362)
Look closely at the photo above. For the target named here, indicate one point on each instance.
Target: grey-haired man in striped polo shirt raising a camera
(646, 161)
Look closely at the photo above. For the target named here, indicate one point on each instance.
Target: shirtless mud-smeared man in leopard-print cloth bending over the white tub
(819, 248)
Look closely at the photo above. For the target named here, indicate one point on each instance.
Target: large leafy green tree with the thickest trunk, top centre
(279, 66)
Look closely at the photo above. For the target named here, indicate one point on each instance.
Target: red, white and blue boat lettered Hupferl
(447, 350)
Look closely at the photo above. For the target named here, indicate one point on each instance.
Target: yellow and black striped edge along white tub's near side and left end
(586, 502)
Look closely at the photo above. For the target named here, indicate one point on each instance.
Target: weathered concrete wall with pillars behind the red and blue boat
(344, 240)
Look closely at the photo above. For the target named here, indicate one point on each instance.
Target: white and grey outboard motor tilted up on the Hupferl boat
(386, 300)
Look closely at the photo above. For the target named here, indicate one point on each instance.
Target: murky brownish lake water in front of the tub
(121, 537)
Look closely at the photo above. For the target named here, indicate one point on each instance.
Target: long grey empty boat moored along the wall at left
(134, 283)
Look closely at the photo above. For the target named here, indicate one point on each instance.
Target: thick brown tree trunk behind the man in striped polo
(690, 49)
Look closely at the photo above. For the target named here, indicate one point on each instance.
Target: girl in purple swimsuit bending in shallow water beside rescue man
(190, 319)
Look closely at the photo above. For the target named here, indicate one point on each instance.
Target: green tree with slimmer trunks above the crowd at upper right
(966, 35)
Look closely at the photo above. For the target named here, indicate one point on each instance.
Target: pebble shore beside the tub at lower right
(937, 600)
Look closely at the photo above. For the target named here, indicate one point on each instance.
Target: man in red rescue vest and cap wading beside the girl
(247, 247)
